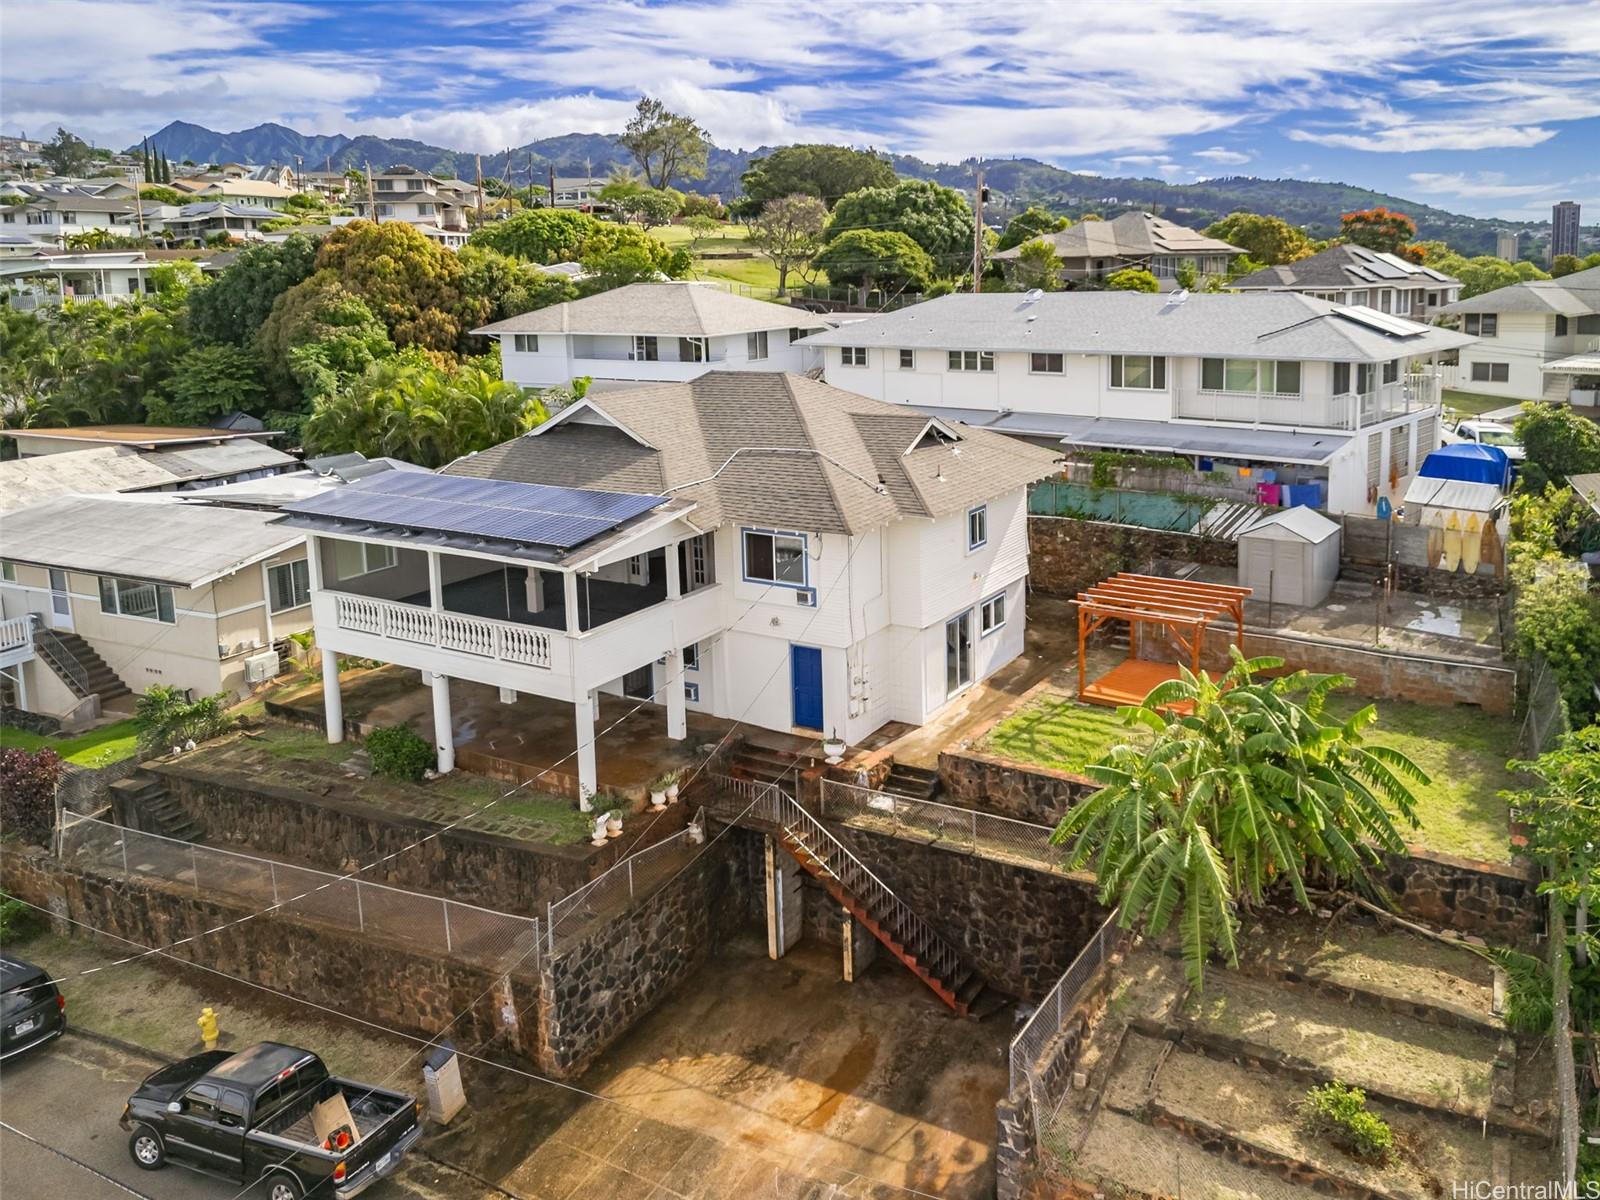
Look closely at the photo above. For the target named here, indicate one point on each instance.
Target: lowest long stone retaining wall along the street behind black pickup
(374, 978)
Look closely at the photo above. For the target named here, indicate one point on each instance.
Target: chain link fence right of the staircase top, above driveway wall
(966, 830)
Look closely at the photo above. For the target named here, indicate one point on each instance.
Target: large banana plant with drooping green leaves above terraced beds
(1247, 791)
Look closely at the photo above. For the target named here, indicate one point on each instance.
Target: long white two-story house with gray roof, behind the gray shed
(1313, 391)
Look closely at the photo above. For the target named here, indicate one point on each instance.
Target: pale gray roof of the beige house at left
(156, 538)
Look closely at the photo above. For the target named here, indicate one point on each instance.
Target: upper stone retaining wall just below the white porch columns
(327, 833)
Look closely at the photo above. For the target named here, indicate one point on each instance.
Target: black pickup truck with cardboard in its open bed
(247, 1118)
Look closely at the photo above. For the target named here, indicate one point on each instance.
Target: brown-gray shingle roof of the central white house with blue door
(722, 439)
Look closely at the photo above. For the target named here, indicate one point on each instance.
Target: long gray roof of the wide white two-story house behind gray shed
(1250, 326)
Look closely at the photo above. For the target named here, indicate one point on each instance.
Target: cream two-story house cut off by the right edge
(1535, 342)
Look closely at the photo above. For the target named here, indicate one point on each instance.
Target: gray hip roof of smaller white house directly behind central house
(668, 310)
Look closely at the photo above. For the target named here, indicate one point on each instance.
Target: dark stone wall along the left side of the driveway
(598, 988)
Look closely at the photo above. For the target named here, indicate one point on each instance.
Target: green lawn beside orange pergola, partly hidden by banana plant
(1462, 750)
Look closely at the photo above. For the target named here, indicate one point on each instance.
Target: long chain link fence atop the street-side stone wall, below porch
(430, 924)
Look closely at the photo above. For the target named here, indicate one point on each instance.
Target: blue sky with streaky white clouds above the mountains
(1481, 108)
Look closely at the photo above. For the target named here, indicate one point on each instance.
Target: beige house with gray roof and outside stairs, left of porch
(106, 596)
